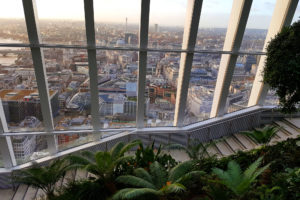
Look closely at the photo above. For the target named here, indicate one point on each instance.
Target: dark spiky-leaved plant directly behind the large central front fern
(144, 157)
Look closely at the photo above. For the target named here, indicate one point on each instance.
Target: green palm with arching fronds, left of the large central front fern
(103, 165)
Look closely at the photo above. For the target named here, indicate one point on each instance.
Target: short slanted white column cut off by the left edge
(6, 148)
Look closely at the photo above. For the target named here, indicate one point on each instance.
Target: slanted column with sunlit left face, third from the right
(186, 60)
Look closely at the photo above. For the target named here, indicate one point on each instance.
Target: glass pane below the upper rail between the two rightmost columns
(242, 82)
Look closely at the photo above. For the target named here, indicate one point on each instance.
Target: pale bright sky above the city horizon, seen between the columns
(215, 13)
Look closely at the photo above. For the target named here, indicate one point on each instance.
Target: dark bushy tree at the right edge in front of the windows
(282, 67)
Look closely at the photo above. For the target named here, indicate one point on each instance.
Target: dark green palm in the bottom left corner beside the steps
(43, 177)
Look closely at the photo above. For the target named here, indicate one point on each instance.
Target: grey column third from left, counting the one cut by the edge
(93, 72)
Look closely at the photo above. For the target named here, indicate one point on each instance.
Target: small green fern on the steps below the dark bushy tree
(262, 136)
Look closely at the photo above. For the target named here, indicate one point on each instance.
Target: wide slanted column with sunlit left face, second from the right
(235, 31)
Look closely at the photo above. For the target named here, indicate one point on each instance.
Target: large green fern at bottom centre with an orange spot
(157, 182)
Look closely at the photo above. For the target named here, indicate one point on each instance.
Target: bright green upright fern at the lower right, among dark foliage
(236, 180)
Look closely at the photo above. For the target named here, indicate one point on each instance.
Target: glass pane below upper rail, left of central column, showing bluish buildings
(117, 84)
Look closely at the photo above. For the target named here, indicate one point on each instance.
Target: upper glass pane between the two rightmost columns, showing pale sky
(257, 25)
